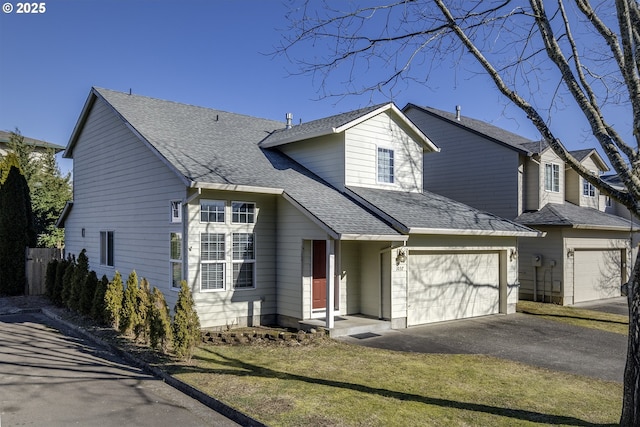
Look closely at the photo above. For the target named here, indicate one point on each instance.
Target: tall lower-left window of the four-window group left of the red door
(212, 261)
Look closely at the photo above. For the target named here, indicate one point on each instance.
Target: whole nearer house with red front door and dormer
(272, 223)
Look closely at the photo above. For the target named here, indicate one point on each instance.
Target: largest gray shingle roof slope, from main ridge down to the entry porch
(218, 147)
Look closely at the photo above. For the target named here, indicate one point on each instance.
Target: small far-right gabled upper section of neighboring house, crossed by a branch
(578, 190)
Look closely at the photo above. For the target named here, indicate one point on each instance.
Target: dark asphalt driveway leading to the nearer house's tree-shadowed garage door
(520, 337)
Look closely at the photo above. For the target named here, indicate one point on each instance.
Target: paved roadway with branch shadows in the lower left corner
(47, 378)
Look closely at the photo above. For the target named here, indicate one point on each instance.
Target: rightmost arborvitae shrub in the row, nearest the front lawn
(186, 324)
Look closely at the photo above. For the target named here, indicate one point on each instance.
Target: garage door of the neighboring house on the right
(597, 274)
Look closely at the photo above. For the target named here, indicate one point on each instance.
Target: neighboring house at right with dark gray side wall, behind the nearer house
(586, 252)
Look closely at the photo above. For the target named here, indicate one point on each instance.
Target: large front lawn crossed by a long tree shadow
(338, 384)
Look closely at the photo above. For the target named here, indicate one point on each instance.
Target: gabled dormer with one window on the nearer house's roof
(375, 147)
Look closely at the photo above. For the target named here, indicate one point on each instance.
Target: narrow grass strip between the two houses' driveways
(576, 316)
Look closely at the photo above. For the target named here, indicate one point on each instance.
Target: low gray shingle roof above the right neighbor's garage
(570, 215)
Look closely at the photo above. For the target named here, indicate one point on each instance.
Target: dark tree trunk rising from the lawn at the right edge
(631, 399)
